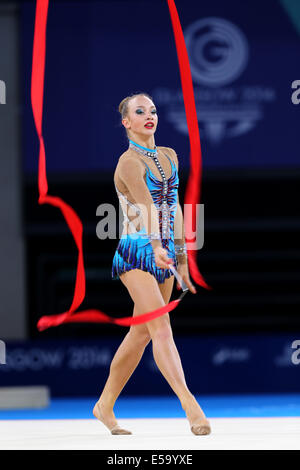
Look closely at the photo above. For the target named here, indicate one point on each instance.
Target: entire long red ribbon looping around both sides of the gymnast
(73, 221)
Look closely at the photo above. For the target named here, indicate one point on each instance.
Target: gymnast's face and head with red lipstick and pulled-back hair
(141, 118)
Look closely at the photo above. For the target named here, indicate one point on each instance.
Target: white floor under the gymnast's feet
(148, 434)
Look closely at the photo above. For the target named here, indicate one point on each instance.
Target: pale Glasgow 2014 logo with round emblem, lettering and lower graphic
(219, 54)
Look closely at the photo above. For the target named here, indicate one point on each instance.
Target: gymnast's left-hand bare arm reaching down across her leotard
(131, 174)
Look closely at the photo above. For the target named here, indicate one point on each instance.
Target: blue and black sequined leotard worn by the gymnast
(134, 250)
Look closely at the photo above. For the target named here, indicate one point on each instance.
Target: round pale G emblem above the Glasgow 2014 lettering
(218, 51)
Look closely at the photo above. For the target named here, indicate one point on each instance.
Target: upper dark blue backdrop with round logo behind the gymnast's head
(244, 58)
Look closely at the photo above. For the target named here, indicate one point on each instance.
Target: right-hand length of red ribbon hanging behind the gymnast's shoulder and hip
(192, 194)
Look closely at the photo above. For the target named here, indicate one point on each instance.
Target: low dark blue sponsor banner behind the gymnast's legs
(220, 364)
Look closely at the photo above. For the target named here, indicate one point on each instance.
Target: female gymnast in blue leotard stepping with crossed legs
(146, 181)
